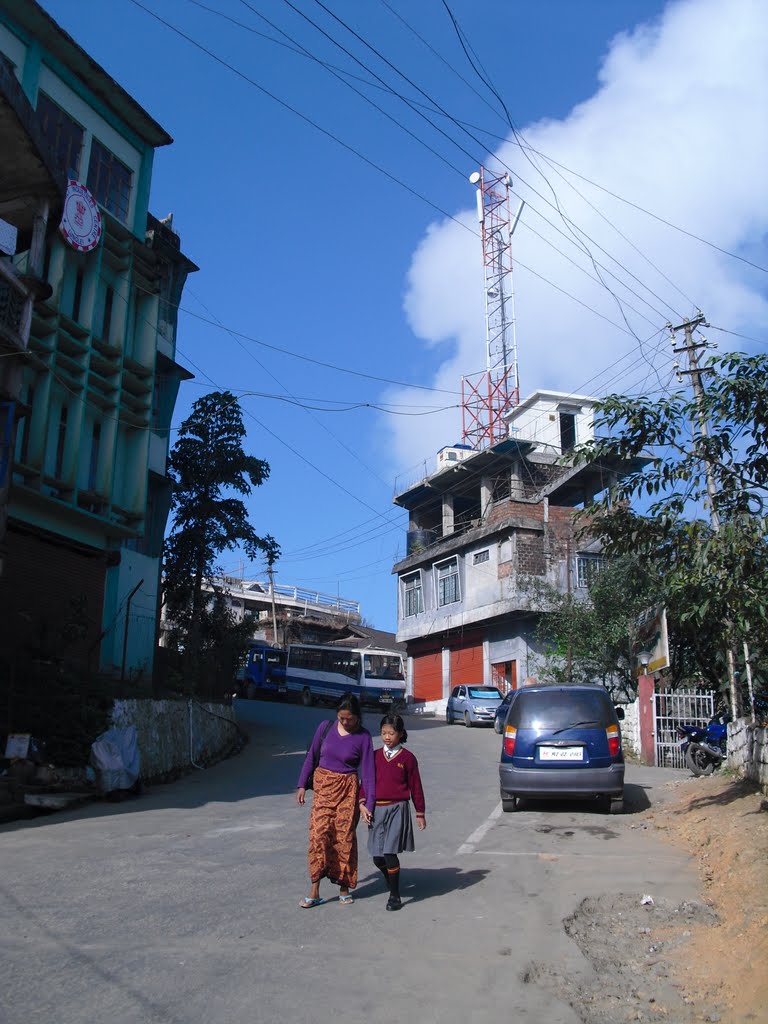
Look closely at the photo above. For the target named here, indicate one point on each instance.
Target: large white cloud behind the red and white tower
(678, 126)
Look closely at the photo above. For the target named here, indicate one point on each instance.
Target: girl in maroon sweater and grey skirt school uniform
(398, 782)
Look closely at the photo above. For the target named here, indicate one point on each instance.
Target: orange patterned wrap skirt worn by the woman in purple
(333, 839)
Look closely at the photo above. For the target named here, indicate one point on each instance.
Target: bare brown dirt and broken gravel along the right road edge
(654, 961)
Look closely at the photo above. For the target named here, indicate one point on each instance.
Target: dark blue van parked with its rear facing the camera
(563, 743)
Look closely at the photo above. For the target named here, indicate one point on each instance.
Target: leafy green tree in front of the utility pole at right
(693, 455)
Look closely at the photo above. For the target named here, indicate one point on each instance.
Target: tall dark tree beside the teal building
(206, 464)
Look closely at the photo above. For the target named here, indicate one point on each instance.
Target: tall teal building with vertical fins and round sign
(93, 404)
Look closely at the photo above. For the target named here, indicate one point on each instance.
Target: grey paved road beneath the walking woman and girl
(182, 908)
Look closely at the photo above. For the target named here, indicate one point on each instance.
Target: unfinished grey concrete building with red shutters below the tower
(483, 528)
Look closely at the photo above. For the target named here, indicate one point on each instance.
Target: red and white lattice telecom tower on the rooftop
(486, 397)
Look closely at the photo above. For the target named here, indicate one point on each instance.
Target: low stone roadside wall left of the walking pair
(163, 729)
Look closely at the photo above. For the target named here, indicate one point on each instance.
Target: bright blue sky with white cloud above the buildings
(305, 246)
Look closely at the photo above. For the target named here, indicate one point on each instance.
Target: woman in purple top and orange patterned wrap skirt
(340, 753)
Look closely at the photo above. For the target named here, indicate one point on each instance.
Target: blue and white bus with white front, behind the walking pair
(321, 673)
